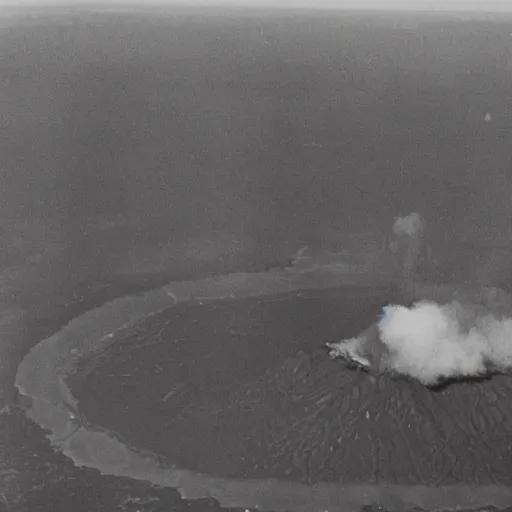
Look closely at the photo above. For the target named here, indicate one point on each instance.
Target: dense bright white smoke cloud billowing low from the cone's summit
(433, 342)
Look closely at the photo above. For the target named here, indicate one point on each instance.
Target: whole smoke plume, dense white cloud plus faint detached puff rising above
(457, 332)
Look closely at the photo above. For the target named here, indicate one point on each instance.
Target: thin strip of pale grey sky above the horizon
(421, 5)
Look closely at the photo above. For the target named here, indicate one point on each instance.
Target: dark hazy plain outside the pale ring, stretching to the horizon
(137, 149)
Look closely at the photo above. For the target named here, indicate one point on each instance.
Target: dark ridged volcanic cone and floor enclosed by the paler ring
(245, 389)
